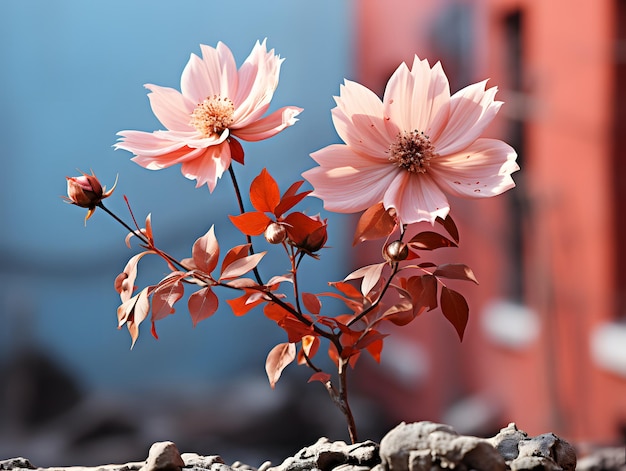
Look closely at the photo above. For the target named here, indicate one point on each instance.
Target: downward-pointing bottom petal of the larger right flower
(416, 198)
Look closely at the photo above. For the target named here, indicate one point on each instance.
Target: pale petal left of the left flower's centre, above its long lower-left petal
(170, 107)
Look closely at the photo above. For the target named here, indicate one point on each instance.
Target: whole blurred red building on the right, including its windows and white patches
(546, 342)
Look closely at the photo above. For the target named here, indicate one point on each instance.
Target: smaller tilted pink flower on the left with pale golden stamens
(216, 103)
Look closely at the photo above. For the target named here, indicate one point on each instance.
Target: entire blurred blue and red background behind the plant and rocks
(546, 343)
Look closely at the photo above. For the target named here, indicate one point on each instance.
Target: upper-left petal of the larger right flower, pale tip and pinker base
(359, 120)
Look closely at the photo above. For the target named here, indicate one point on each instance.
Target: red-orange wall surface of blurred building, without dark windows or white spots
(552, 384)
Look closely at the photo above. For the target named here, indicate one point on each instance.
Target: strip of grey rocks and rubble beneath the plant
(419, 446)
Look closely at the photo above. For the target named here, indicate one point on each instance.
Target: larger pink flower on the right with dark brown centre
(410, 149)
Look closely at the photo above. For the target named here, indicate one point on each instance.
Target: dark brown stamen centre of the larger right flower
(412, 151)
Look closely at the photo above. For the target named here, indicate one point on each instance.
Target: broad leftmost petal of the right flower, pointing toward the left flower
(347, 182)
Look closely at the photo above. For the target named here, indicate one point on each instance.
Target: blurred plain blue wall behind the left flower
(71, 76)
